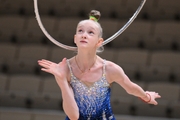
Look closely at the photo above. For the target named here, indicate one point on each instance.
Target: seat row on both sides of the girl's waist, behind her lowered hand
(30, 91)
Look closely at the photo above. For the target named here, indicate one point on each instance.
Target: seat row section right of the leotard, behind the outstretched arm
(168, 104)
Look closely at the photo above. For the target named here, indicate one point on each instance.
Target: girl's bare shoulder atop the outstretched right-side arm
(113, 71)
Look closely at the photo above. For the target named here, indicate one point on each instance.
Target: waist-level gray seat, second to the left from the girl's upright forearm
(21, 90)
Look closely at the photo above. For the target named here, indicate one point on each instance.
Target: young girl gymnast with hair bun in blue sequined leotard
(85, 79)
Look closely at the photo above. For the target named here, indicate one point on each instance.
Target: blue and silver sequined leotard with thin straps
(93, 102)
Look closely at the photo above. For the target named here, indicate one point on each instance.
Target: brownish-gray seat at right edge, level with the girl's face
(165, 36)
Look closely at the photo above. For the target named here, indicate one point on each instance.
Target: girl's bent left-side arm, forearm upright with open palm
(60, 72)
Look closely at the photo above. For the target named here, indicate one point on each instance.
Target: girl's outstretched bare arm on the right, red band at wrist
(116, 74)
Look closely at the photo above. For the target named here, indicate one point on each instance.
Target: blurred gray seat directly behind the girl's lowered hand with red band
(166, 101)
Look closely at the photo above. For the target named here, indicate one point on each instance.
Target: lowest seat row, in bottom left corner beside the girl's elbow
(24, 114)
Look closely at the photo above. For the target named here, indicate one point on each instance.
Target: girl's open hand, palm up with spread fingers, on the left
(59, 70)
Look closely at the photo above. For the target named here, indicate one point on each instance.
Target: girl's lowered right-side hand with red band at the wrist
(151, 97)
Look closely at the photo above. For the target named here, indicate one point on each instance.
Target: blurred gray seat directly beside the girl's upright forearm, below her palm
(50, 95)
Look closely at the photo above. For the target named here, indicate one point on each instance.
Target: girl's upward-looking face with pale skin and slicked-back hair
(88, 35)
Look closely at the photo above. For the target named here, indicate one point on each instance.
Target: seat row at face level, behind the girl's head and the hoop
(141, 34)
